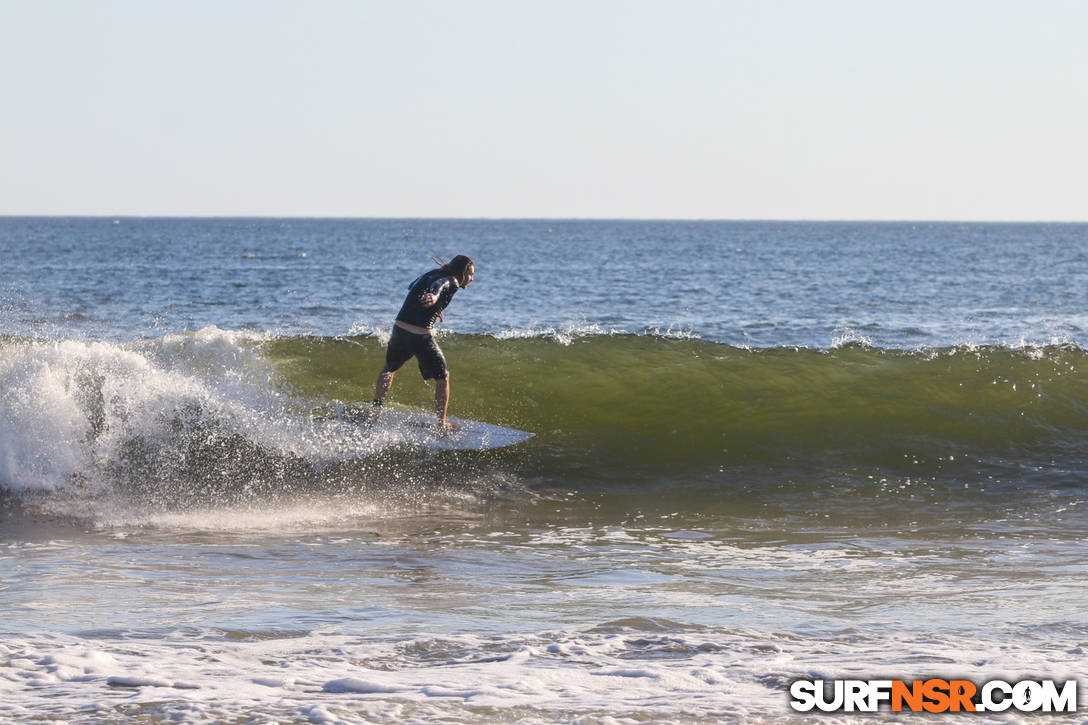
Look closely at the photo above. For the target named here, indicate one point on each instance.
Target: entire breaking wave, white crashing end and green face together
(219, 409)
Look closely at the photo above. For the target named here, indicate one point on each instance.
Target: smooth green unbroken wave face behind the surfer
(626, 404)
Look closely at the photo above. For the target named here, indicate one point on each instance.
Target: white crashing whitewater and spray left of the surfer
(200, 426)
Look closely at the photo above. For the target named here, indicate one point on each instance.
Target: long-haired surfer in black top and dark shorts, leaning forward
(413, 331)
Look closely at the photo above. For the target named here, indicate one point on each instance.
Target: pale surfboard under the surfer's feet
(422, 429)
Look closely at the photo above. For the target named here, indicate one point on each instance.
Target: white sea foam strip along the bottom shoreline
(626, 673)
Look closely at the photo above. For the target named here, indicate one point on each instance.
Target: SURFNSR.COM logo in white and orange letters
(933, 696)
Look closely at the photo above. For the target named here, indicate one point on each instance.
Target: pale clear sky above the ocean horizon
(969, 110)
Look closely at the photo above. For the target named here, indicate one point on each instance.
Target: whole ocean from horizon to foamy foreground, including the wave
(763, 452)
